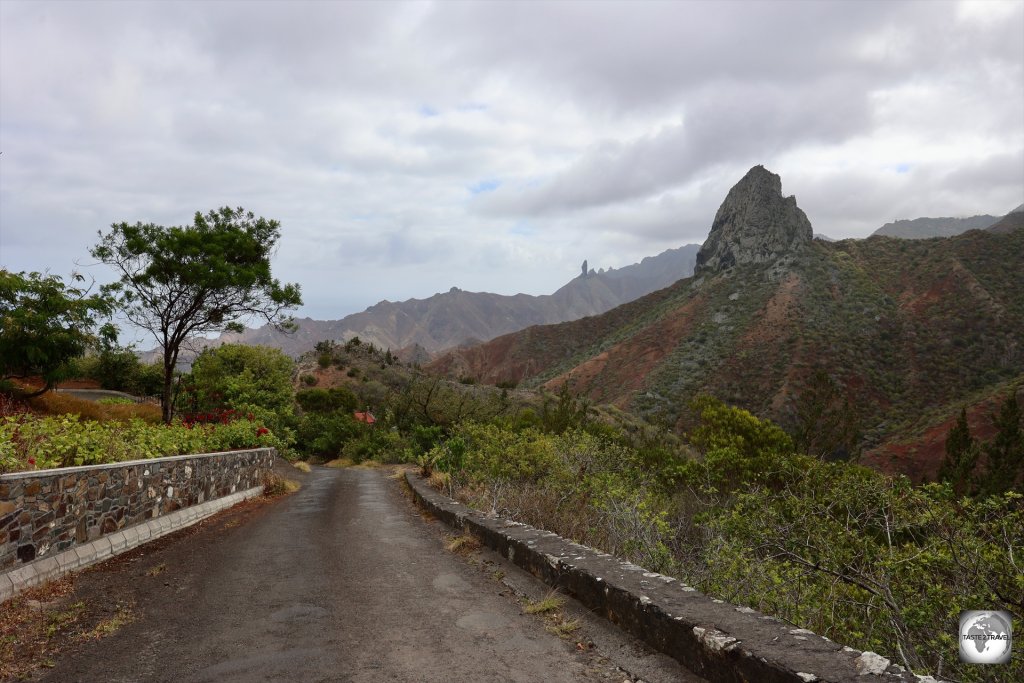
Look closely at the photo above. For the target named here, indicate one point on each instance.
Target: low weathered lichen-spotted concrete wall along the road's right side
(712, 638)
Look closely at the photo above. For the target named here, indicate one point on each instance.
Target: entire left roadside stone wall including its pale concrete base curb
(54, 522)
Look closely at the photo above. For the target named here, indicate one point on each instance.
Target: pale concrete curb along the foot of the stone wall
(79, 558)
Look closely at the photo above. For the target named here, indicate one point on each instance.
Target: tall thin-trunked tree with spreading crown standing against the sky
(183, 282)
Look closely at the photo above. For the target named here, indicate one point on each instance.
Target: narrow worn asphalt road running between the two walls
(345, 581)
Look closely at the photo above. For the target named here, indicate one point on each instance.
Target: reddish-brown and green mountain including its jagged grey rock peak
(858, 336)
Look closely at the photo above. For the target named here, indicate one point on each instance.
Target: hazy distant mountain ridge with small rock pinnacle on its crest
(423, 327)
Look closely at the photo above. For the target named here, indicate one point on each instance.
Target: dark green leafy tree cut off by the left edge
(45, 325)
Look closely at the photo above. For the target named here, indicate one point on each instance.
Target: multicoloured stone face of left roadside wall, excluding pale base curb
(51, 511)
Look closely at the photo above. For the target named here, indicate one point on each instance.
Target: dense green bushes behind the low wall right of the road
(867, 560)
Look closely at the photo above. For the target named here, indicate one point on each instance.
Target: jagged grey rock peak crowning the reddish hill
(755, 225)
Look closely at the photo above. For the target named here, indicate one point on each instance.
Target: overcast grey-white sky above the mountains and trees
(409, 148)
